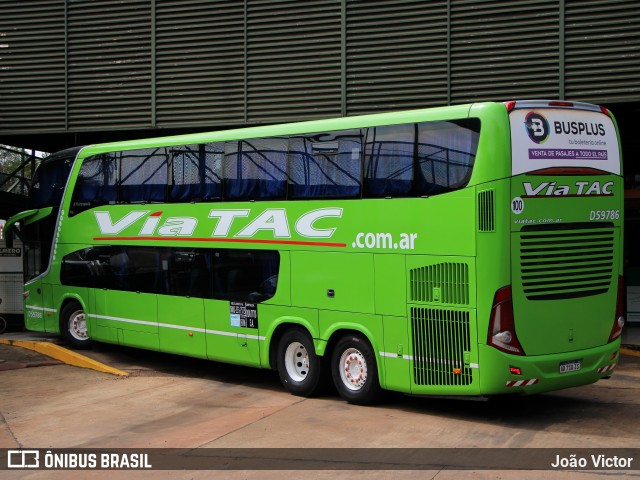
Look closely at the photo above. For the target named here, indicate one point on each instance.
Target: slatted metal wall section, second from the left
(109, 63)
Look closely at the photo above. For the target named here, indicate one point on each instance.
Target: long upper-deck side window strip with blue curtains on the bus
(414, 159)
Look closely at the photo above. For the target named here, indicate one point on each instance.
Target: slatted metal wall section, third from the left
(199, 61)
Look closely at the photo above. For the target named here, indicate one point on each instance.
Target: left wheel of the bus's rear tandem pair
(299, 367)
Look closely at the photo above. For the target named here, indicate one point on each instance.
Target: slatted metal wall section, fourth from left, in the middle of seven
(293, 59)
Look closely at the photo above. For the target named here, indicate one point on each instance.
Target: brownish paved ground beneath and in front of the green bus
(177, 402)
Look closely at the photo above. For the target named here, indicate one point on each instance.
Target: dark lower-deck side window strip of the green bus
(237, 275)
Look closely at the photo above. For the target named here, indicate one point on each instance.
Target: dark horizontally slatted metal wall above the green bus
(105, 65)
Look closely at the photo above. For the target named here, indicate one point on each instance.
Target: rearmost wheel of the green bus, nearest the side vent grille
(354, 370)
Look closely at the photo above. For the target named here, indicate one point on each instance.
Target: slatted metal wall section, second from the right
(504, 50)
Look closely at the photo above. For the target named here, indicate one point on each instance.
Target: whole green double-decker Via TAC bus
(468, 250)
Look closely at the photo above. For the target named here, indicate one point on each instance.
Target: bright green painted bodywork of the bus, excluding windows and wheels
(416, 276)
